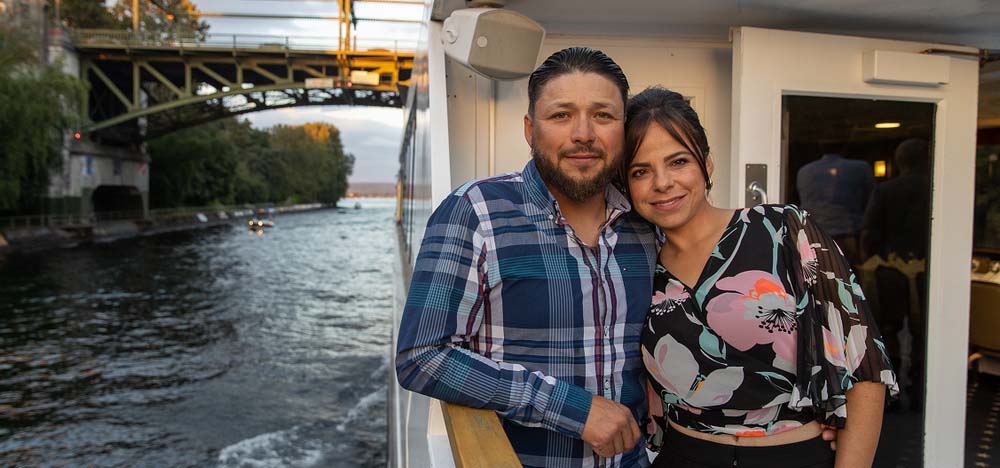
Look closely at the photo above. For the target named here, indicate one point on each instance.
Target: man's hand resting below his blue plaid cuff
(610, 427)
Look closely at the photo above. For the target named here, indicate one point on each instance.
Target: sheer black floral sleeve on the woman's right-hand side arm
(838, 341)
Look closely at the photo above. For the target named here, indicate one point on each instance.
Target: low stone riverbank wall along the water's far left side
(34, 238)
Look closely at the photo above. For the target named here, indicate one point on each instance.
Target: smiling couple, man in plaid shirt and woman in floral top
(601, 304)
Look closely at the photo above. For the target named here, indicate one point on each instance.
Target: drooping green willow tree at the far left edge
(39, 104)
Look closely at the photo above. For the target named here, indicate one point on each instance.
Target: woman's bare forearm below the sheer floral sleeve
(857, 441)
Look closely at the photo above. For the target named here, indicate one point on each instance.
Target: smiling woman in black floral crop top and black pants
(758, 330)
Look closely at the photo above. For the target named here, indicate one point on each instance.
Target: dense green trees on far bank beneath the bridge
(229, 162)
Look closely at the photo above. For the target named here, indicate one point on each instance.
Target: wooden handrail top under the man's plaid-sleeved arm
(477, 438)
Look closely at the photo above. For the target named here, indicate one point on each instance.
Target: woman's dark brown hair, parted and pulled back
(669, 110)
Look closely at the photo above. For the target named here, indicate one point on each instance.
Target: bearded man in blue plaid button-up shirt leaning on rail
(530, 289)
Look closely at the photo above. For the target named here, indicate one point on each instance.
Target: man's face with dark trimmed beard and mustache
(577, 134)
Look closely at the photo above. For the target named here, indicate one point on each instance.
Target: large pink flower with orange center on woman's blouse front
(757, 311)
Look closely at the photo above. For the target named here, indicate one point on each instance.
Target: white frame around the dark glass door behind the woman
(770, 64)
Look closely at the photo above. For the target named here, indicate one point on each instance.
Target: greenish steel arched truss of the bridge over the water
(143, 87)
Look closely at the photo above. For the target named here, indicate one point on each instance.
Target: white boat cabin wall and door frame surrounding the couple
(736, 60)
